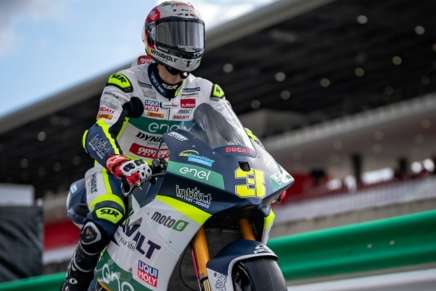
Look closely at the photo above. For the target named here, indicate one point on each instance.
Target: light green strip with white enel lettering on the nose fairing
(196, 173)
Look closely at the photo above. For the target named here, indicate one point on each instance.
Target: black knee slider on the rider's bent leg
(92, 239)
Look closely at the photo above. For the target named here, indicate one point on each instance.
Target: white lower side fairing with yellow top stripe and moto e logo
(150, 240)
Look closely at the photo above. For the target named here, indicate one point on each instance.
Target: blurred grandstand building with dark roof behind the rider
(341, 92)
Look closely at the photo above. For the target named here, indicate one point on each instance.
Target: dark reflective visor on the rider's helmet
(181, 34)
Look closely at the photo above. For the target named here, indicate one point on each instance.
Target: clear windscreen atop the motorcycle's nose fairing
(217, 125)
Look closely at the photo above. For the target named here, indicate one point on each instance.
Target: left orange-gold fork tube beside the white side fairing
(201, 252)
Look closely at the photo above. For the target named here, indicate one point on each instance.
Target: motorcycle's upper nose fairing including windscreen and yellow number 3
(218, 143)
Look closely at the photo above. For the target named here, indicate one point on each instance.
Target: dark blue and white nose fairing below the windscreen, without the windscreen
(276, 179)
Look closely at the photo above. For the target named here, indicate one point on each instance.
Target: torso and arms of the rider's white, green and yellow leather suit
(140, 137)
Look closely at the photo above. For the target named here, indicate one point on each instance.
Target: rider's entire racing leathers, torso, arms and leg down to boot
(162, 108)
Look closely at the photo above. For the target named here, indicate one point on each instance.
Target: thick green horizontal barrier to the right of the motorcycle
(396, 242)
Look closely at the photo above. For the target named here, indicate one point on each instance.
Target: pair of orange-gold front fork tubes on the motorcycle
(200, 251)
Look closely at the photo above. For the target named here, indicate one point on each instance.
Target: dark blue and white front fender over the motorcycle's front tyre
(219, 269)
